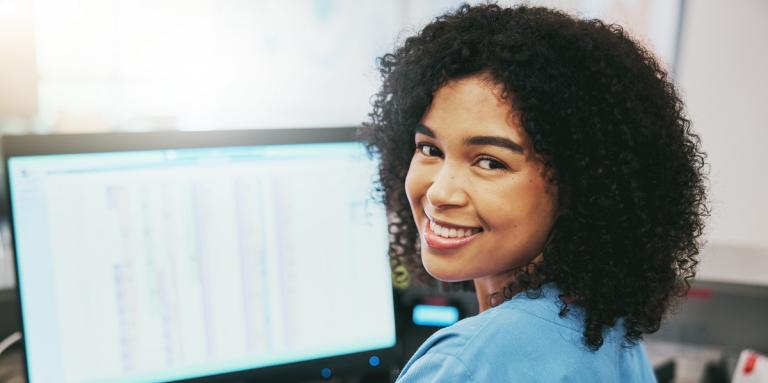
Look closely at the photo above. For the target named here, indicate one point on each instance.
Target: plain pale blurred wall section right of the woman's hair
(723, 73)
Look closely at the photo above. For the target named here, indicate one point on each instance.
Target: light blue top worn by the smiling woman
(525, 340)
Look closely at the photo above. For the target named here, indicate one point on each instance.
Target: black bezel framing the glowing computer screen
(40, 144)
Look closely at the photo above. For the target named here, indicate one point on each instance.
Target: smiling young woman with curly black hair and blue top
(545, 162)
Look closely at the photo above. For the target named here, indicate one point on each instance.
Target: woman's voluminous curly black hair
(609, 125)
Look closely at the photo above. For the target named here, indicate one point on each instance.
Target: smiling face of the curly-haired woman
(479, 194)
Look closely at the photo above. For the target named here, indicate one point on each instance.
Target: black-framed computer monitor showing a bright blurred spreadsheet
(197, 256)
